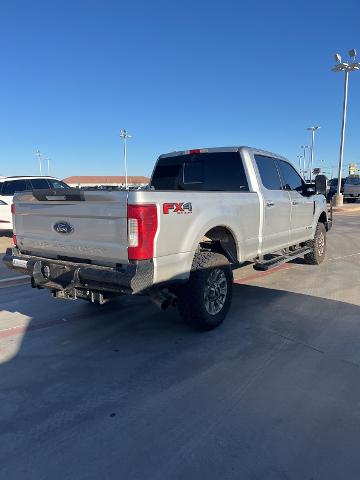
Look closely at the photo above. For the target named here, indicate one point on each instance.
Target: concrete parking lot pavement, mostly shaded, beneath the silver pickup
(123, 391)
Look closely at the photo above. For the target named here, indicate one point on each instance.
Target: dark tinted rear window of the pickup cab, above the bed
(213, 171)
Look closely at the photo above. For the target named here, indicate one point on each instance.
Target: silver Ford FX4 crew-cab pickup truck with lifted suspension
(206, 212)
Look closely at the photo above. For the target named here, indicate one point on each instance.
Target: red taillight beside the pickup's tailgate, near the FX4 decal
(142, 228)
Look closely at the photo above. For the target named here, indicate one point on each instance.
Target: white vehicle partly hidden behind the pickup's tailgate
(10, 185)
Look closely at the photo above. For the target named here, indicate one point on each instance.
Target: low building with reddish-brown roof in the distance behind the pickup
(88, 181)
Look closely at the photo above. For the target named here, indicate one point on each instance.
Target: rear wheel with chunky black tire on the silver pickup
(209, 288)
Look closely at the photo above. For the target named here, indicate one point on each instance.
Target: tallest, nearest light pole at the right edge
(346, 67)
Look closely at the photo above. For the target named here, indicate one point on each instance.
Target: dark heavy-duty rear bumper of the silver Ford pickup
(60, 275)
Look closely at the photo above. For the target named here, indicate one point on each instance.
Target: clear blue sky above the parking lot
(176, 74)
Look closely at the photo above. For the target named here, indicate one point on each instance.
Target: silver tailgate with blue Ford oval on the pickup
(73, 224)
